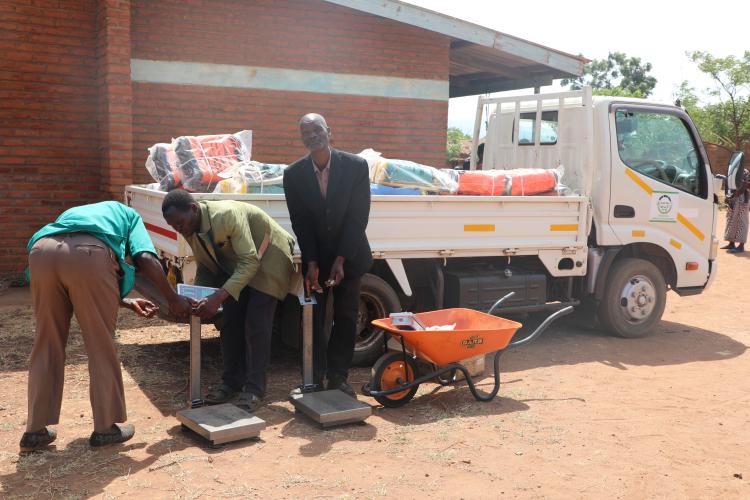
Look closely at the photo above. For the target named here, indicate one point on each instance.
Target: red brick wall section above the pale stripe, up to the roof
(294, 34)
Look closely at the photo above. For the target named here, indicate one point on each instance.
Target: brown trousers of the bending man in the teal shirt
(70, 273)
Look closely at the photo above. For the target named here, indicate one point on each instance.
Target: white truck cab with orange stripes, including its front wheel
(653, 202)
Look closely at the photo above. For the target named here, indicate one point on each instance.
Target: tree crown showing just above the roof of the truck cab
(617, 75)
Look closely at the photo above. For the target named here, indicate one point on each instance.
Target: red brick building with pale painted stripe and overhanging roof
(87, 85)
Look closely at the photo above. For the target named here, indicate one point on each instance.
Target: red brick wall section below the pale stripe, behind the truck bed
(396, 127)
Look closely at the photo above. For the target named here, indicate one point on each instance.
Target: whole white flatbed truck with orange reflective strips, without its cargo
(638, 220)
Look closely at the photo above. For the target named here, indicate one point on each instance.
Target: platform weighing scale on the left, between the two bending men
(222, 423)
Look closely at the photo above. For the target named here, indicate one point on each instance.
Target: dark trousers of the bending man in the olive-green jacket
(246, 340)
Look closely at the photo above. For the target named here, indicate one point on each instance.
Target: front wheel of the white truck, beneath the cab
(634, 298)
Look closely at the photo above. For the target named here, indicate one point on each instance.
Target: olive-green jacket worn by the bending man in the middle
(226, 249)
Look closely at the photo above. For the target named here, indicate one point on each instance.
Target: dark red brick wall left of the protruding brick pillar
(49, 156)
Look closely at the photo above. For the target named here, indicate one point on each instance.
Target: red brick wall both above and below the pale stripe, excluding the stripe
(297, 34)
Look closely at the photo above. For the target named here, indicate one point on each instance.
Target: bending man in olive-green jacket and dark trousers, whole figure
(245, 254)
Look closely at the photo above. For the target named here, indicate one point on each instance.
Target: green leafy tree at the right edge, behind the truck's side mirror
(726, 121)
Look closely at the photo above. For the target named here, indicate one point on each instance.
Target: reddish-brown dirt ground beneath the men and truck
(580, 414)
